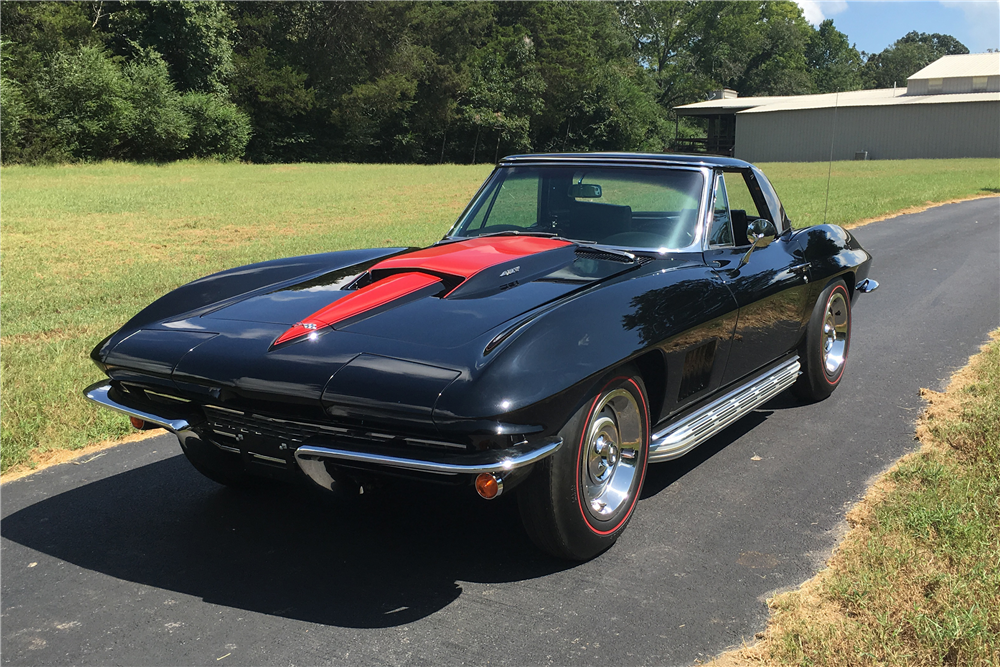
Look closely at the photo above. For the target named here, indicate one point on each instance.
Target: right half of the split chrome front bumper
(311, 460)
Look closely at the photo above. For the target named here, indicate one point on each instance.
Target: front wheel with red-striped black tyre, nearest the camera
(577, 502)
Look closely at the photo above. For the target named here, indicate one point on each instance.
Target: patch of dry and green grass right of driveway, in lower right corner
(917, 579)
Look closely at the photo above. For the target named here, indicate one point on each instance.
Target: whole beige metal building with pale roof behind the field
(949, 109)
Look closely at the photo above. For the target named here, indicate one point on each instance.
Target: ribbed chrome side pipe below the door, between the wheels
(682, 436)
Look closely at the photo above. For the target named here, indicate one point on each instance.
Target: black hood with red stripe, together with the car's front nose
(374, 338)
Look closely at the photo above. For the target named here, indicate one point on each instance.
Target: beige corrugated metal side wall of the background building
(891, 132)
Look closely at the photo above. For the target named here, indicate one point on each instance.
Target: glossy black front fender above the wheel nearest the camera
(549, 365)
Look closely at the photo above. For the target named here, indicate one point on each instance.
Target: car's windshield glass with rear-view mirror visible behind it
(652, 208)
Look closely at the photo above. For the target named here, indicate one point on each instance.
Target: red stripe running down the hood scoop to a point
(462, 259)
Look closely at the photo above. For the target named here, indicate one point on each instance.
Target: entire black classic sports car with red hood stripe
(587, 315)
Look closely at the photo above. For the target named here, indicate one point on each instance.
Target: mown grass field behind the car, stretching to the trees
(83, 248)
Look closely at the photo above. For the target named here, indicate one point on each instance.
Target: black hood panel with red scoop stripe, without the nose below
(443, 296)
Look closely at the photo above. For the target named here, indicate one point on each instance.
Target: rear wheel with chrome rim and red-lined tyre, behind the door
(827, 342)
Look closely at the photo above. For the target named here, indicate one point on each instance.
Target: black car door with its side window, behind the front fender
(771, 288)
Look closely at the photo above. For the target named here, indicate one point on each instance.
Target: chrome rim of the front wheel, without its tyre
(611, 450)
